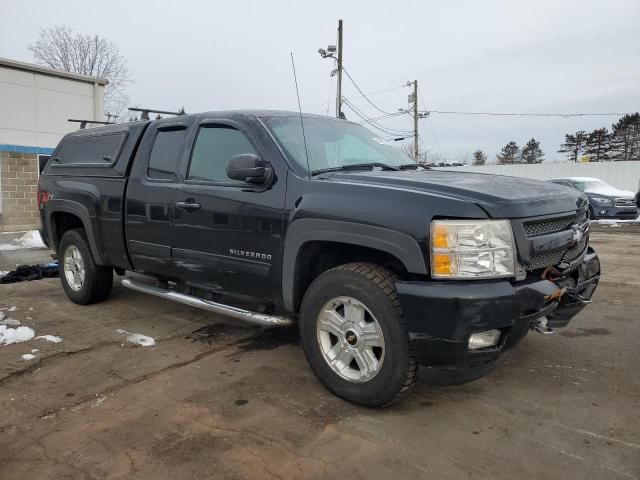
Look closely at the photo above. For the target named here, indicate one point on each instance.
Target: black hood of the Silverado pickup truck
(500, 196)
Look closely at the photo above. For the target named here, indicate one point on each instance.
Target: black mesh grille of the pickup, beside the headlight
(555, 257)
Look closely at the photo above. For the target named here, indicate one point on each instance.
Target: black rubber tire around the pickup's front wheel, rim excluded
(374, 287)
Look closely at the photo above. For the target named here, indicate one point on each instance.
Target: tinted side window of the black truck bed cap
(90, 149)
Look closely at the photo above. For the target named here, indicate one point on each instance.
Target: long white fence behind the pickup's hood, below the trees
(623, 175)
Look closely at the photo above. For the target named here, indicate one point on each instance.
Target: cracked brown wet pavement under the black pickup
(215, 398)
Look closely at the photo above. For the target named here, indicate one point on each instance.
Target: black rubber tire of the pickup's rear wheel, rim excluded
(98, 280)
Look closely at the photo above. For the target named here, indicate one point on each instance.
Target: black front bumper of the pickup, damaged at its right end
(440, 316)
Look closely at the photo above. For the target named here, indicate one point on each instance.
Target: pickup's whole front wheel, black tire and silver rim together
(354, 337)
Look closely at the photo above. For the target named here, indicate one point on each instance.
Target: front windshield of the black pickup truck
(332, 143)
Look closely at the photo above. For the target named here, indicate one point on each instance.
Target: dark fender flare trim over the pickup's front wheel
(402, 246)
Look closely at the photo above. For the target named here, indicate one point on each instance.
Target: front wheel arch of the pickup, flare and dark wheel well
(344, 242)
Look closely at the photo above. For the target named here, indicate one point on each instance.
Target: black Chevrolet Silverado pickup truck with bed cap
(276, 218)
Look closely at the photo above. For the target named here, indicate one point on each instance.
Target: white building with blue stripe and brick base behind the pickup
(35, 105)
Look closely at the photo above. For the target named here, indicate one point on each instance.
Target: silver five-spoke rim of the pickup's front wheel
(350, 339)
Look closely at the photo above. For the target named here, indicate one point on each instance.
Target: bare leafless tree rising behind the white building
(60, 48)
